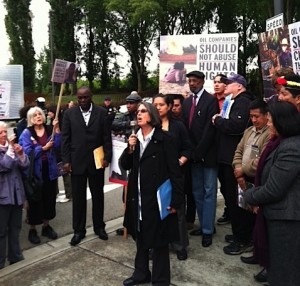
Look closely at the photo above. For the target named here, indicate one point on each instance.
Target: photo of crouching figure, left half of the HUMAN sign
(178, 55)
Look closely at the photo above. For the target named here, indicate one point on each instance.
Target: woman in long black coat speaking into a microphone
(151, 157)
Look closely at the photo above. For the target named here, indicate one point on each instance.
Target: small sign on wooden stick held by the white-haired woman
(64, 72)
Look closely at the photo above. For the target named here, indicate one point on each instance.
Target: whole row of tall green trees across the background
(134, 25)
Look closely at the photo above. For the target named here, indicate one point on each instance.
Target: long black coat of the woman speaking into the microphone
(158, 163)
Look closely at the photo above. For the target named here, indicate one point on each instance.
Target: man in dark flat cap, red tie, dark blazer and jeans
(197, 111)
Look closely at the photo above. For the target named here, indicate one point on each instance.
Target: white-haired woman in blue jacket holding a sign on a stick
(42, 139)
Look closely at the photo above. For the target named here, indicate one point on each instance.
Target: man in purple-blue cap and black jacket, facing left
(231, 127)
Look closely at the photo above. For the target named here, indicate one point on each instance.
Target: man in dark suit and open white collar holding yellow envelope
(84, 129)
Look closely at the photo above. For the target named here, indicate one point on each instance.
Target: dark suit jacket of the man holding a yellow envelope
(79, 140)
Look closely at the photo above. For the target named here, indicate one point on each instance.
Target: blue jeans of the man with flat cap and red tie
(204, 182)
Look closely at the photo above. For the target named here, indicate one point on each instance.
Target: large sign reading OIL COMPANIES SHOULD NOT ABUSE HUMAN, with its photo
(181, 54)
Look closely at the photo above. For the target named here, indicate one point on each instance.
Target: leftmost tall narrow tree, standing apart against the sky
(19, 29)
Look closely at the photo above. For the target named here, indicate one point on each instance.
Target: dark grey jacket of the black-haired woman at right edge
(279, 192)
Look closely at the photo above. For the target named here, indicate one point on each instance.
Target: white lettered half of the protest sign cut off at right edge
(294, 32)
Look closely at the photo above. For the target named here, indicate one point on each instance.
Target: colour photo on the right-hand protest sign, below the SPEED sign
(275, 54)
